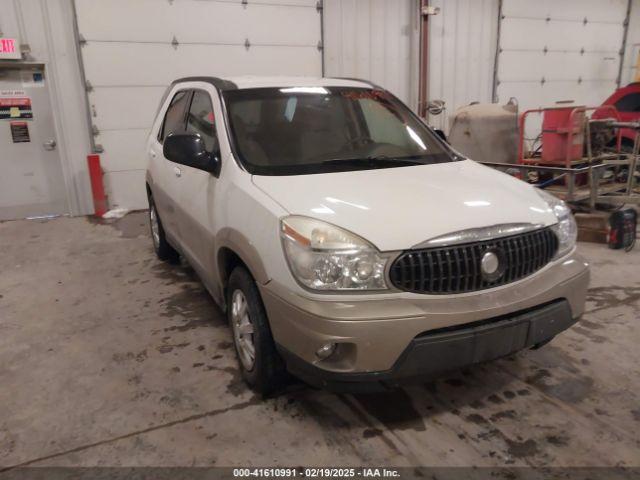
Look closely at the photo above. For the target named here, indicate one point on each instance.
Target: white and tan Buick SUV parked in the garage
(348, 243)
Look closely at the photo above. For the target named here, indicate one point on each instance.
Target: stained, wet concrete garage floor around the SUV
(110, 357)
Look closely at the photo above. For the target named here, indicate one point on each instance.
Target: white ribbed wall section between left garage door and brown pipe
(374, 40)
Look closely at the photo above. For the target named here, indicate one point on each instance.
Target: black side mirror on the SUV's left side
(189, 149)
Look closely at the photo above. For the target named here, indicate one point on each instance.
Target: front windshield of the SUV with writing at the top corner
(305, 130)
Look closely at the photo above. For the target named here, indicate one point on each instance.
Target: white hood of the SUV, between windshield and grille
(399, 208)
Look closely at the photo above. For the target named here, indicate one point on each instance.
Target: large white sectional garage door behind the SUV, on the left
(132, 50)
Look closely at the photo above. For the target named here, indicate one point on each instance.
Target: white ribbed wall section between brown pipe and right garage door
(462, 45)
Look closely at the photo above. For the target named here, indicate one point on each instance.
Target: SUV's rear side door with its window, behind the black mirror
(167, 174)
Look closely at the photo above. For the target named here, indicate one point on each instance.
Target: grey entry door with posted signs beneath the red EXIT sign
(31, 180)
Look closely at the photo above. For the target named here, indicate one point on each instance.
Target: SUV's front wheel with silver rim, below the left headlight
(261, 366)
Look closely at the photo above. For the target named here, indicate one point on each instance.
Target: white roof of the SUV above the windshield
(244, 82)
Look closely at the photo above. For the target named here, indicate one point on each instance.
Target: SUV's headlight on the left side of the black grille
(324, 257)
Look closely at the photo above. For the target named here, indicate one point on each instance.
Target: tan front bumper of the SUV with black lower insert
(374, 332)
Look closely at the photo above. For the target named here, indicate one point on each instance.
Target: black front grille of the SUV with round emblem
(457, 269)
